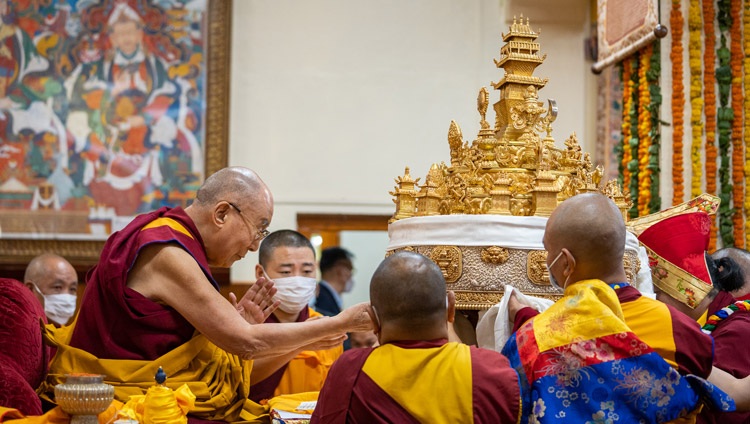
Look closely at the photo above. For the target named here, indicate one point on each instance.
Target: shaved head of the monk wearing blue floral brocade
(591, 227)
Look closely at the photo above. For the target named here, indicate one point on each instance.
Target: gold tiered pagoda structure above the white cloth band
(509, 169)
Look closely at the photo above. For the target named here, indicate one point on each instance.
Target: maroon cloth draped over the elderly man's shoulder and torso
(116, 322)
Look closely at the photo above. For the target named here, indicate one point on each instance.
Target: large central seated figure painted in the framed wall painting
(127, 113)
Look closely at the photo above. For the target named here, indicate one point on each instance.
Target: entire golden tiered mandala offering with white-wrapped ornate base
(482, 218)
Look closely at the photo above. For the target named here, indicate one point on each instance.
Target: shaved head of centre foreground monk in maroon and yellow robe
(409, 289)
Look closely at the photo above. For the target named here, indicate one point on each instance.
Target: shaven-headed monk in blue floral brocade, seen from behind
(578, 360)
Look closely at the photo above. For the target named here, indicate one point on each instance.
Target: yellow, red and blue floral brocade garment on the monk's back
(579, 362)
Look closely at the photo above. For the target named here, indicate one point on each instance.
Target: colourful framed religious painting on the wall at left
(107, 109)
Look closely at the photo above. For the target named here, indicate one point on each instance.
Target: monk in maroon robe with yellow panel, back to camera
(416, 375)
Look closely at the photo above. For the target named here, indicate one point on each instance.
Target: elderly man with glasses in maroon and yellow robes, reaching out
(151, 301)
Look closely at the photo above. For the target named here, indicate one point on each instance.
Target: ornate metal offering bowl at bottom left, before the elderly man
(84, 396)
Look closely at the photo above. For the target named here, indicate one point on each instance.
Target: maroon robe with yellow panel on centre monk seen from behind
(419, 382)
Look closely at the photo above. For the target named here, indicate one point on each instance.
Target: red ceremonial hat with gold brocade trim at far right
(676, 248)
